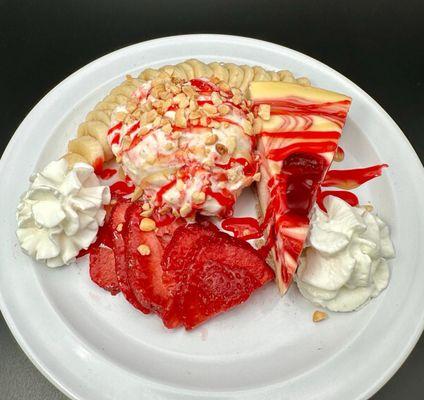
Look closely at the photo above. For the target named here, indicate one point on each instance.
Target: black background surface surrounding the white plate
(377, 44)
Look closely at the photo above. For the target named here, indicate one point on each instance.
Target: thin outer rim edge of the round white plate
(25, 346)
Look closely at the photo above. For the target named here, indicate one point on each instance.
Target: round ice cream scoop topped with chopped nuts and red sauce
(186, 145)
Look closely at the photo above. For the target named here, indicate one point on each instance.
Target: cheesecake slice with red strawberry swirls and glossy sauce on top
(299, 136)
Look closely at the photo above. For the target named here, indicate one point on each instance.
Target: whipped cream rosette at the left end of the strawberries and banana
(61, 212)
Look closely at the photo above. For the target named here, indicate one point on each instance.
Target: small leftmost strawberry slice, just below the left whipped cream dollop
(102, 269)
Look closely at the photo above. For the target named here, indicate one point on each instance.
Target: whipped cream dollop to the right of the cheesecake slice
(344, 264)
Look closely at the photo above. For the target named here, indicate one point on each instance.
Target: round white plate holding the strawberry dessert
(94, 346)
